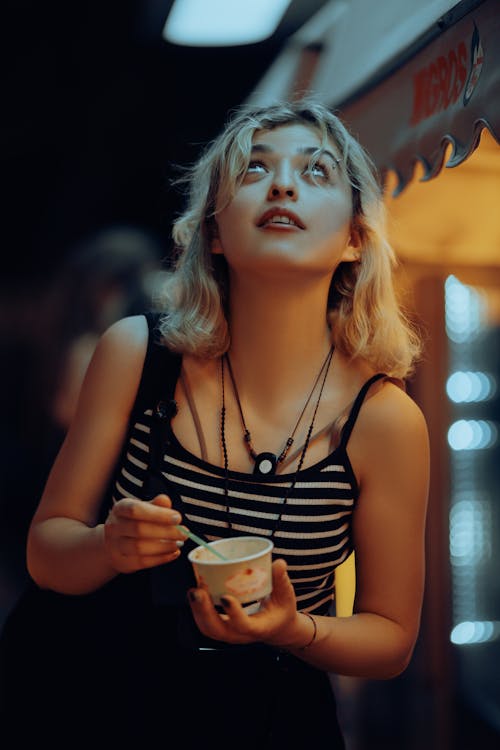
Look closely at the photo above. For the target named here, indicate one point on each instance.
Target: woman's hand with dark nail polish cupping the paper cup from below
(276, 623)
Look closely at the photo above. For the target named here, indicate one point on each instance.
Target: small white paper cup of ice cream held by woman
(245, 574)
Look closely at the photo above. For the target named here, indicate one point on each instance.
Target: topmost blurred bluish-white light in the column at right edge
(464, 310)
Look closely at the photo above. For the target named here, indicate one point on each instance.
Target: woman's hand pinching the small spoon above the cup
(139, 534)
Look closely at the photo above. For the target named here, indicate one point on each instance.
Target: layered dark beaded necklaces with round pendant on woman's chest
(265, 463)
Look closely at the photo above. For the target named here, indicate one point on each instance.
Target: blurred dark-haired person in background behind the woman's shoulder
(108, 275)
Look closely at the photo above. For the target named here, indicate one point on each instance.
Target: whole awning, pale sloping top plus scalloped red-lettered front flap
(438, 83)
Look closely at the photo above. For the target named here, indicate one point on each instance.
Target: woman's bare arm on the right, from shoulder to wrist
(390, 447)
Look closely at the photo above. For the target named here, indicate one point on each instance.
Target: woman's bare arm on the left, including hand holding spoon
(67, 550)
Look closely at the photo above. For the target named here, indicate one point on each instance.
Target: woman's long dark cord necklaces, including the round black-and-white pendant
(263, 456)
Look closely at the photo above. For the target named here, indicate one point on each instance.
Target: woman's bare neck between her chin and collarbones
(279, 335)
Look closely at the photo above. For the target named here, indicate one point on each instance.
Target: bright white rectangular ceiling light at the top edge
(215, 23)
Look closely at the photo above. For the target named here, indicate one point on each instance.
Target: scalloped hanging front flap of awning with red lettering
(447, 93)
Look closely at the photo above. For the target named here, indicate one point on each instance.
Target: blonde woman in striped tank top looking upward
(280, 412)
